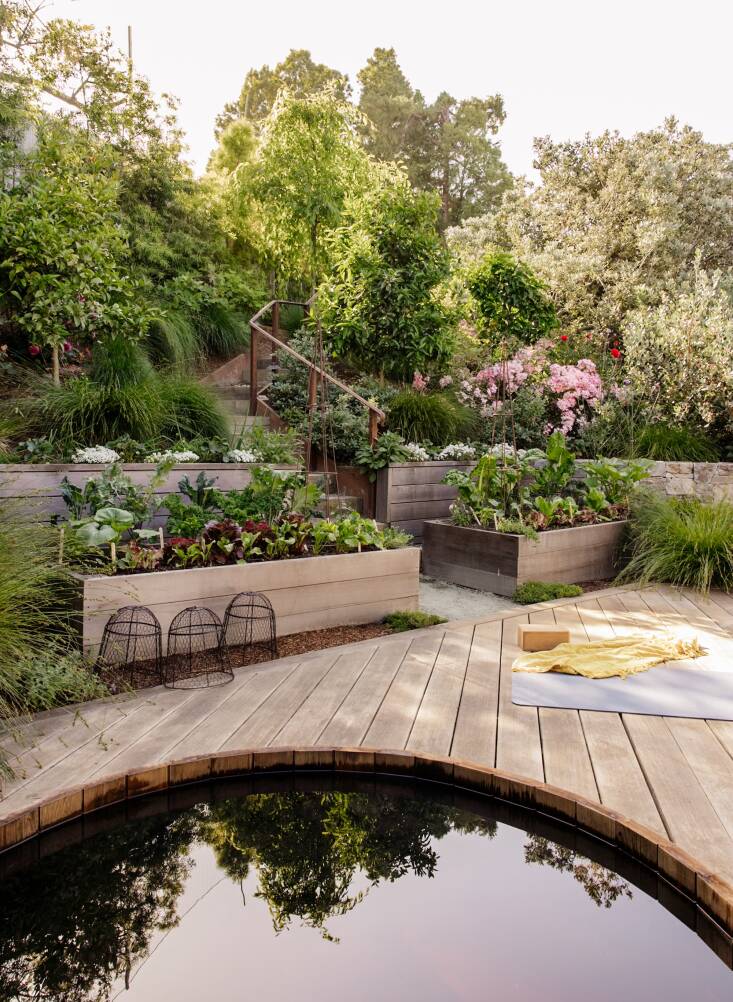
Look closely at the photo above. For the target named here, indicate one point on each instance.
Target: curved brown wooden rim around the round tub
(713, 895)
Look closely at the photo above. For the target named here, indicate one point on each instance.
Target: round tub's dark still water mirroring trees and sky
(323, 887)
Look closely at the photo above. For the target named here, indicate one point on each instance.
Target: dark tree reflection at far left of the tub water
(83, 918)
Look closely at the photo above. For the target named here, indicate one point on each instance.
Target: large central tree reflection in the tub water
(309, 848)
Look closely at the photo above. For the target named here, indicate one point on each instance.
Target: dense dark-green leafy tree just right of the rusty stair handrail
(380, 304)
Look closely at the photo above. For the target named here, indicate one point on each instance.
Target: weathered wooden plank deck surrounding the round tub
(443, 692)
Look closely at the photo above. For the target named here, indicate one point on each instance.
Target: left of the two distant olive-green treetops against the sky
(298, 75)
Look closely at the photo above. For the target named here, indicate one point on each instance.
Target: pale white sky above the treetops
(564, 67)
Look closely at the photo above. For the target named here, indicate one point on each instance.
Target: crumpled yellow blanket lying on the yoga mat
(623, 656)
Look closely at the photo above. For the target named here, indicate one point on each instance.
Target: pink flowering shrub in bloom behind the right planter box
(571, 392)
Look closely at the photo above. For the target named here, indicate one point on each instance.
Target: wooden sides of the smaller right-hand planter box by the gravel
(500, 562)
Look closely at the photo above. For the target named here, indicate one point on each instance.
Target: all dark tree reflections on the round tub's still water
(80, 923)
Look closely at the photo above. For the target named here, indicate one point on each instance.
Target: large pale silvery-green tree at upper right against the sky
(615, 222)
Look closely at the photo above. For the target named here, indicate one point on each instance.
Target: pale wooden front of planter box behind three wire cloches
(307, 594)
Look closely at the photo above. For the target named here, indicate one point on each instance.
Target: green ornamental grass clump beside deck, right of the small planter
(685, 543)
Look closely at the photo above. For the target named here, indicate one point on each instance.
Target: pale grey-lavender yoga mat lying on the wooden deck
(666, 691)
